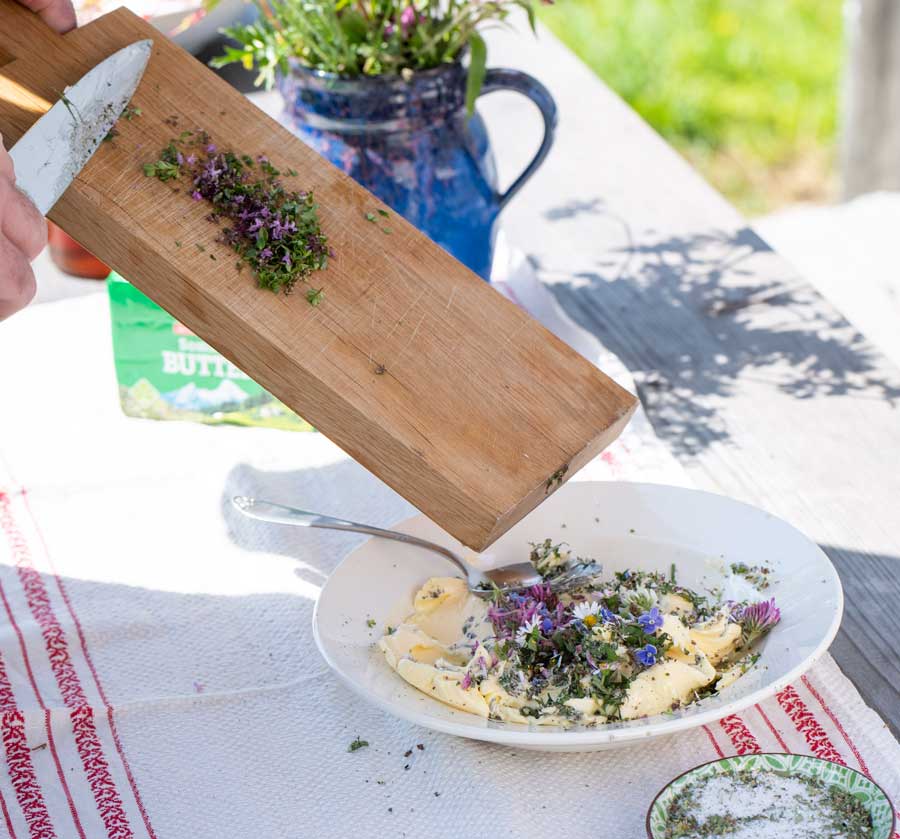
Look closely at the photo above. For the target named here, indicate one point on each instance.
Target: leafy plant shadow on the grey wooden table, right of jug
(689, 316)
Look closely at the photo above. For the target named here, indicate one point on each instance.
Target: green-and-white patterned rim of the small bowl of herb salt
(833, 774)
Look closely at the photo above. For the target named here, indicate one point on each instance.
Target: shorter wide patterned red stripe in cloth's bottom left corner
(21, 769)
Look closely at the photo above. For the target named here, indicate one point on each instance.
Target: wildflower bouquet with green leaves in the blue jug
(368, 37)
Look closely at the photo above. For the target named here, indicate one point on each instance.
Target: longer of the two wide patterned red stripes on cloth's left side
(87, 741)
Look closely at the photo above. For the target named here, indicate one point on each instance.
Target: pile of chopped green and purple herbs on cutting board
(274, 230)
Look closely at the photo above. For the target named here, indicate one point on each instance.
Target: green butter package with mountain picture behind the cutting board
(167, 372)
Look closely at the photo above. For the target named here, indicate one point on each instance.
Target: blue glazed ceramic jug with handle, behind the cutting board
(412, 145)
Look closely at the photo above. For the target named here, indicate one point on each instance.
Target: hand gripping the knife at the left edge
(23, 234)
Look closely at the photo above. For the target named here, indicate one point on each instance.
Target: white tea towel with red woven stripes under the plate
(159, 678)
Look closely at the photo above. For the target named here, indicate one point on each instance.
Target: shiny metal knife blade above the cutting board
(55, 149)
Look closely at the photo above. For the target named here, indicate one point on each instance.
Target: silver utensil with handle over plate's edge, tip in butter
(519, 575)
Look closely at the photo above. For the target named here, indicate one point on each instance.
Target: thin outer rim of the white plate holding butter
(598, 736)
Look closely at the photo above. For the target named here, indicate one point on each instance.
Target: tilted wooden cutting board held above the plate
(418, 369)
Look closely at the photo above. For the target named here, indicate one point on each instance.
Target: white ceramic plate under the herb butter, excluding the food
(623, 525)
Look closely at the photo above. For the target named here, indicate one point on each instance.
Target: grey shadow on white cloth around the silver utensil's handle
(321, 489)
